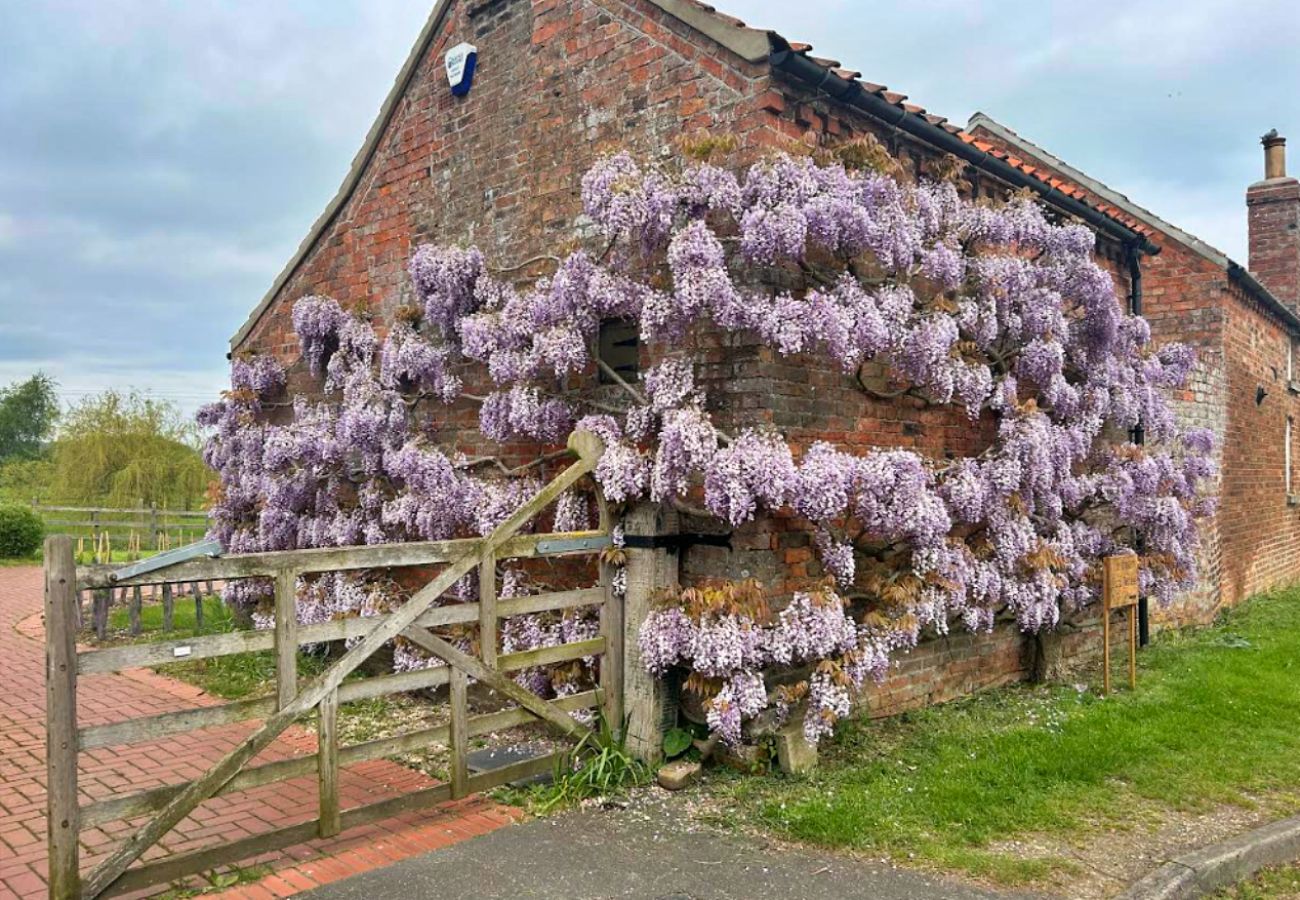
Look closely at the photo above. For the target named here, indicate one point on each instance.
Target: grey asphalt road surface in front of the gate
(639, 854)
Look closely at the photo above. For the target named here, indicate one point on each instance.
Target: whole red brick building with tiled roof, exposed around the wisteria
(560, 83)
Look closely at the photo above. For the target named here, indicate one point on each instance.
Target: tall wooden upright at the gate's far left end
(64, 814)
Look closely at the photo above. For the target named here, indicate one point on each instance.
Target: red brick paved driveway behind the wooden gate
(145, 765)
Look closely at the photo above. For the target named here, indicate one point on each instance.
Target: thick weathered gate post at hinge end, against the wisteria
(651, 570)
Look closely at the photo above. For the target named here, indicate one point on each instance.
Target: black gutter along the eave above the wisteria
(878, 107)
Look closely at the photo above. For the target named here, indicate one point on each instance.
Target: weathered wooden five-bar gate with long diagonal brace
(323, 695)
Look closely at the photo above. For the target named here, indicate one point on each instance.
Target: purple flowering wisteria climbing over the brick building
(993, 309)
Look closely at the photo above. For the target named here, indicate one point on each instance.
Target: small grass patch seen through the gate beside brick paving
(235, 677)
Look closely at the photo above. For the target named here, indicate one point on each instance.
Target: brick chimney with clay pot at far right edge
(1273, 213)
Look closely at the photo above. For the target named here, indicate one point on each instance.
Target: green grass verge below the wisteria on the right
(1216, 720)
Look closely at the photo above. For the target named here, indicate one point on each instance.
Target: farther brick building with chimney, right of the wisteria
(1245, 328)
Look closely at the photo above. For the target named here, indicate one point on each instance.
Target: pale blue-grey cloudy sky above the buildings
(162, 159)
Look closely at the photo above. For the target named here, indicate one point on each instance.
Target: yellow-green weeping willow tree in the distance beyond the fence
(125, 449)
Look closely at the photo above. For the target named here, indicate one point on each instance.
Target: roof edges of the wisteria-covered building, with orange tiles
(753, 46)
